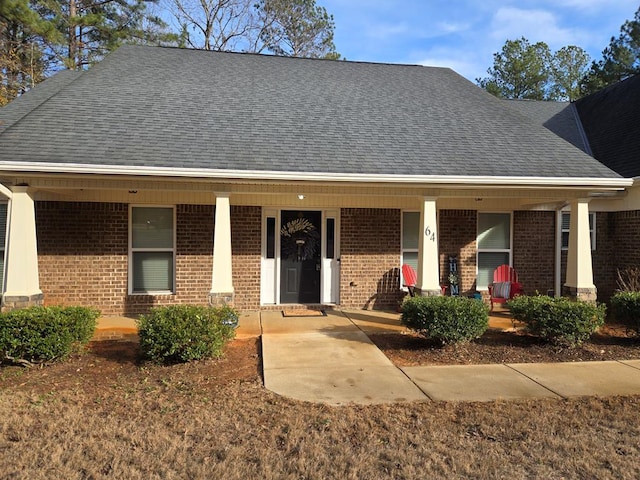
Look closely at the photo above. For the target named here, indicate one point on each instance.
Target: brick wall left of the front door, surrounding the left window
(83, 256)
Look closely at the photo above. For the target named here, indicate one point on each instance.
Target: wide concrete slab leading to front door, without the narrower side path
(330, 360)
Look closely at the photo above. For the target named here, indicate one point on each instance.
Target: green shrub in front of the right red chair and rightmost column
(558, 320)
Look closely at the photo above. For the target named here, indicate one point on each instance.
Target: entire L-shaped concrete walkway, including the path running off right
(331, 360)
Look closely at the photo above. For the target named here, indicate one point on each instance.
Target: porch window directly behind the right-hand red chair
(494, 245)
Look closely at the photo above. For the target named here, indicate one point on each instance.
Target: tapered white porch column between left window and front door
(222, 278)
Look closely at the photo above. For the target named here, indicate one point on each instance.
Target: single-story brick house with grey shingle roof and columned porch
(164, 175)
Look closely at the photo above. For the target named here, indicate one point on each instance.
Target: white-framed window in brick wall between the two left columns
(152, 256)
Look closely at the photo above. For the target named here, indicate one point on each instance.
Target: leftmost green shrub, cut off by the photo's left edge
(41, 334)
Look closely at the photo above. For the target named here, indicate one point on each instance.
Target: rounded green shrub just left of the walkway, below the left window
(181, 333)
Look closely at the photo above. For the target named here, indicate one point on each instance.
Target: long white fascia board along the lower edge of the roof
(461, 180)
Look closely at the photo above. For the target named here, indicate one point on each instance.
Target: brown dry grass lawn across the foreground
(106, 416)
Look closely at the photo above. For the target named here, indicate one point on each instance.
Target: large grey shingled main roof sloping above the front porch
(169, 109)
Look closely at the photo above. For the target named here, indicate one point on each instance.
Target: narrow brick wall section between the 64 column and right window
(458, 231)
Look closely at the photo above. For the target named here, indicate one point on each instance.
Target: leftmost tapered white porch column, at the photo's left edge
(22, 285)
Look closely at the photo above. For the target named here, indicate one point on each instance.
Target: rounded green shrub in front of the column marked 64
(446, 319)
